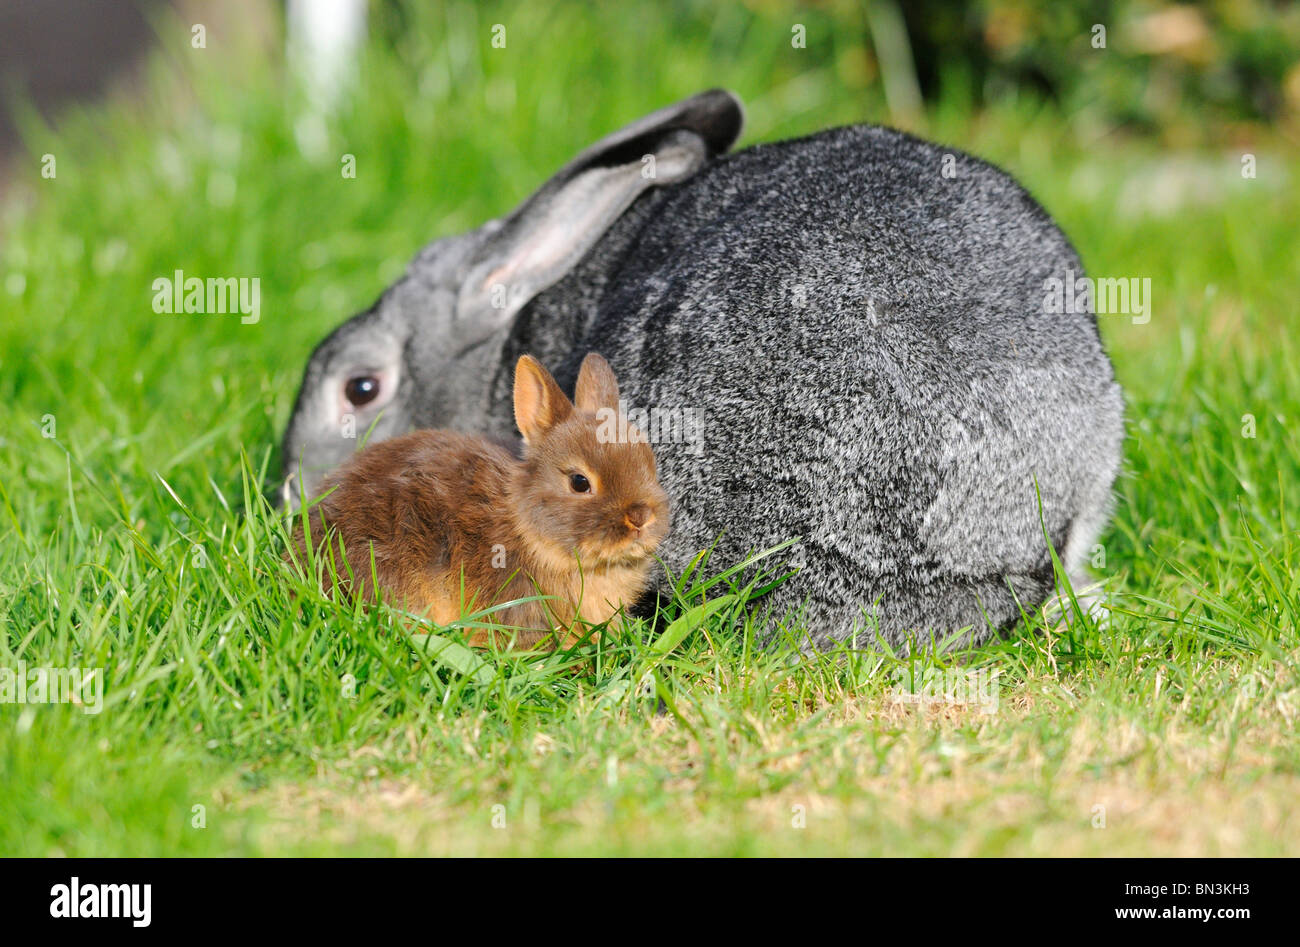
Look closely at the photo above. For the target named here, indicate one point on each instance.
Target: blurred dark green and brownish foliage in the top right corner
(1162, 66)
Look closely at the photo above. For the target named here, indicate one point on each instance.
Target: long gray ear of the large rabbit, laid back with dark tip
(549, 233)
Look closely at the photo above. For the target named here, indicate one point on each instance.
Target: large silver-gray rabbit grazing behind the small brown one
(853, 321)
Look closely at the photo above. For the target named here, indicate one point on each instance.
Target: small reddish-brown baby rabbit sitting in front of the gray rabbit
(458, 524)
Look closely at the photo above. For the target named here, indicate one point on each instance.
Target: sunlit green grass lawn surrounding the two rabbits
(136, 540)
